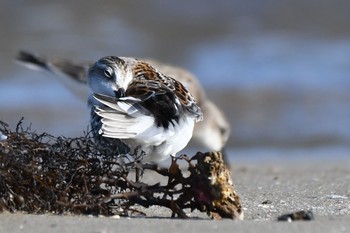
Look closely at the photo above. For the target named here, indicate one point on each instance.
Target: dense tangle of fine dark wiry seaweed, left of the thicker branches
(40, 173)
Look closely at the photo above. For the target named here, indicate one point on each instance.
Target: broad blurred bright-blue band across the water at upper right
(274, 61)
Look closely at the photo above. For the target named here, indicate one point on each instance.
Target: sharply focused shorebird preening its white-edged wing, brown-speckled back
(132, 101)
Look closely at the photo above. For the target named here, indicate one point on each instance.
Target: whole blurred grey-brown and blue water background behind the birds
(279, 69)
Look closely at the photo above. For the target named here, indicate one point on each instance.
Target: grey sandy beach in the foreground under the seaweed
(287, 185)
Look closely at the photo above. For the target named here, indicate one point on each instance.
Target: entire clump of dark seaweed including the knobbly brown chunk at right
(40, 173)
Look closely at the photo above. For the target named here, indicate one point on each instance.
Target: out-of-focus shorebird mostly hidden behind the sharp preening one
(212, 133)
